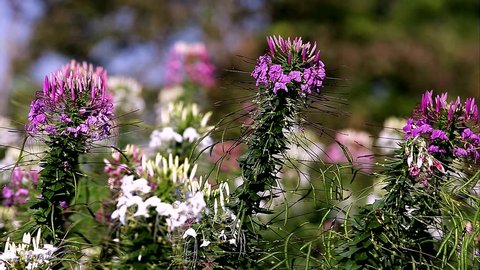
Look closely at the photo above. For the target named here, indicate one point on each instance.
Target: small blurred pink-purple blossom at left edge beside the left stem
(17, 192)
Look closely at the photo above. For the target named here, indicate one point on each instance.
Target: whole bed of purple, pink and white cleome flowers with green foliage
(96, 198)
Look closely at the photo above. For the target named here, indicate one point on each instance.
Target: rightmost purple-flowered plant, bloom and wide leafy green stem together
(426, 183)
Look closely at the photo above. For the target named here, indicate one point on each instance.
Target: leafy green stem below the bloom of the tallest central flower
(267, 144)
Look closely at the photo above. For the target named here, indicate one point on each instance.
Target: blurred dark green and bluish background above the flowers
(382, 54)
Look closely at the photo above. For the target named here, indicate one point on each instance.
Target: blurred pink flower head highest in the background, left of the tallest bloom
(189, 63)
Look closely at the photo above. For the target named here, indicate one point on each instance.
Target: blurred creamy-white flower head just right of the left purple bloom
(127, 93)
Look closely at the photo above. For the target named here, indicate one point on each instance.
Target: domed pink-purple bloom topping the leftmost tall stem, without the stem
(74, 101)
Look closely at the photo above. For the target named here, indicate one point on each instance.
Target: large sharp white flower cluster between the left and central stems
(177, 213)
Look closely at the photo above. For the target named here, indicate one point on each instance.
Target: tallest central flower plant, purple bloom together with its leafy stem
(286, 75)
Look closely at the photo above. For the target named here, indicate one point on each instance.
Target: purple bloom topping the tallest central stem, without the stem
(290, 64)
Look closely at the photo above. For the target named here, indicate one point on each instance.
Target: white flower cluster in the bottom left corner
(22, 255)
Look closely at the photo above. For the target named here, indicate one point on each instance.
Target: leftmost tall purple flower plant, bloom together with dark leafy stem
(73, 110)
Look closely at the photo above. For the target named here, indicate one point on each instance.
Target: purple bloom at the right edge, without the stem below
(447, 127)
